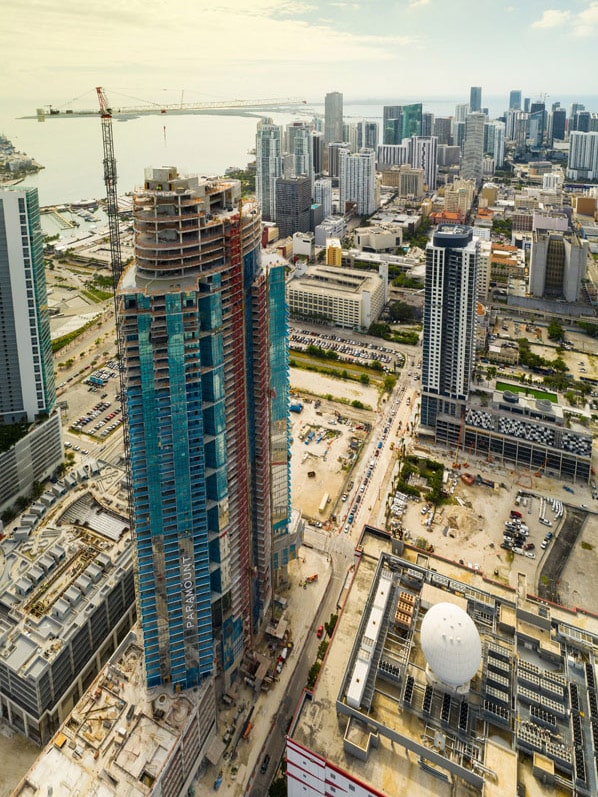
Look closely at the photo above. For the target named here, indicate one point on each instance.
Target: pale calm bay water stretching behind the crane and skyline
(70, 149)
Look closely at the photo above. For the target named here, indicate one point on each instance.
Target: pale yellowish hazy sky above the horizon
(53, 51)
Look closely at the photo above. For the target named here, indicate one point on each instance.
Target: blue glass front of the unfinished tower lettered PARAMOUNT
(170, 454)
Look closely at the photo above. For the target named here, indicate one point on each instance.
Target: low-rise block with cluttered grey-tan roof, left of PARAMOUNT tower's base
(66, 601)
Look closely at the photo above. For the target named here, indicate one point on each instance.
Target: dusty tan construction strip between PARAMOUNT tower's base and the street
(303, 605)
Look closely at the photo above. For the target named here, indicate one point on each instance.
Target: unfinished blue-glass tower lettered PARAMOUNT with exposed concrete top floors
(202, 385)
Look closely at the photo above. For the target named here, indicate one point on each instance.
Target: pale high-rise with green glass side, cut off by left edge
(28, 393)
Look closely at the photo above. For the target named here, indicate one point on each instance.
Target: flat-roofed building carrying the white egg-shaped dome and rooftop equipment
(438, 682)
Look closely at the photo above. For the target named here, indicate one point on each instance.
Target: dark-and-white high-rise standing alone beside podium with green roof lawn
(449, 322)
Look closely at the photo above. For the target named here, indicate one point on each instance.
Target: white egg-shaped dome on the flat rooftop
(451, 644)
